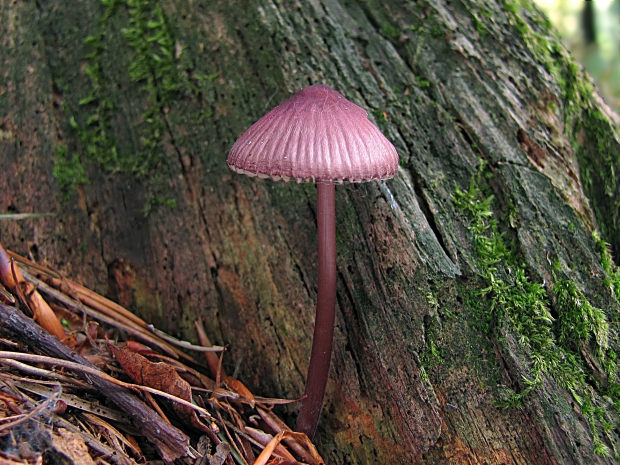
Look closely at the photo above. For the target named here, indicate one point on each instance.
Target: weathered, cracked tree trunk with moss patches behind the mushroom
(473, 298)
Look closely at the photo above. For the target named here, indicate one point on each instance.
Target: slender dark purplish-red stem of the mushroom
(320, 356)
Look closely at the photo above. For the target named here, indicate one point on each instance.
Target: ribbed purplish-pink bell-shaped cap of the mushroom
(316, 135)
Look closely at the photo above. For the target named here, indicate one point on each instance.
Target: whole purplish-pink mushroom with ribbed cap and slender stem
(317, 135)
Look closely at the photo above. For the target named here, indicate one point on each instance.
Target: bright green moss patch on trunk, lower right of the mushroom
(510, 302)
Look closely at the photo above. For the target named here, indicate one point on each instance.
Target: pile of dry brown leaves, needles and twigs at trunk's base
(85, 381)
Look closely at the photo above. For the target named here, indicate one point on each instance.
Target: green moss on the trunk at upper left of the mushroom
(156, 66)
